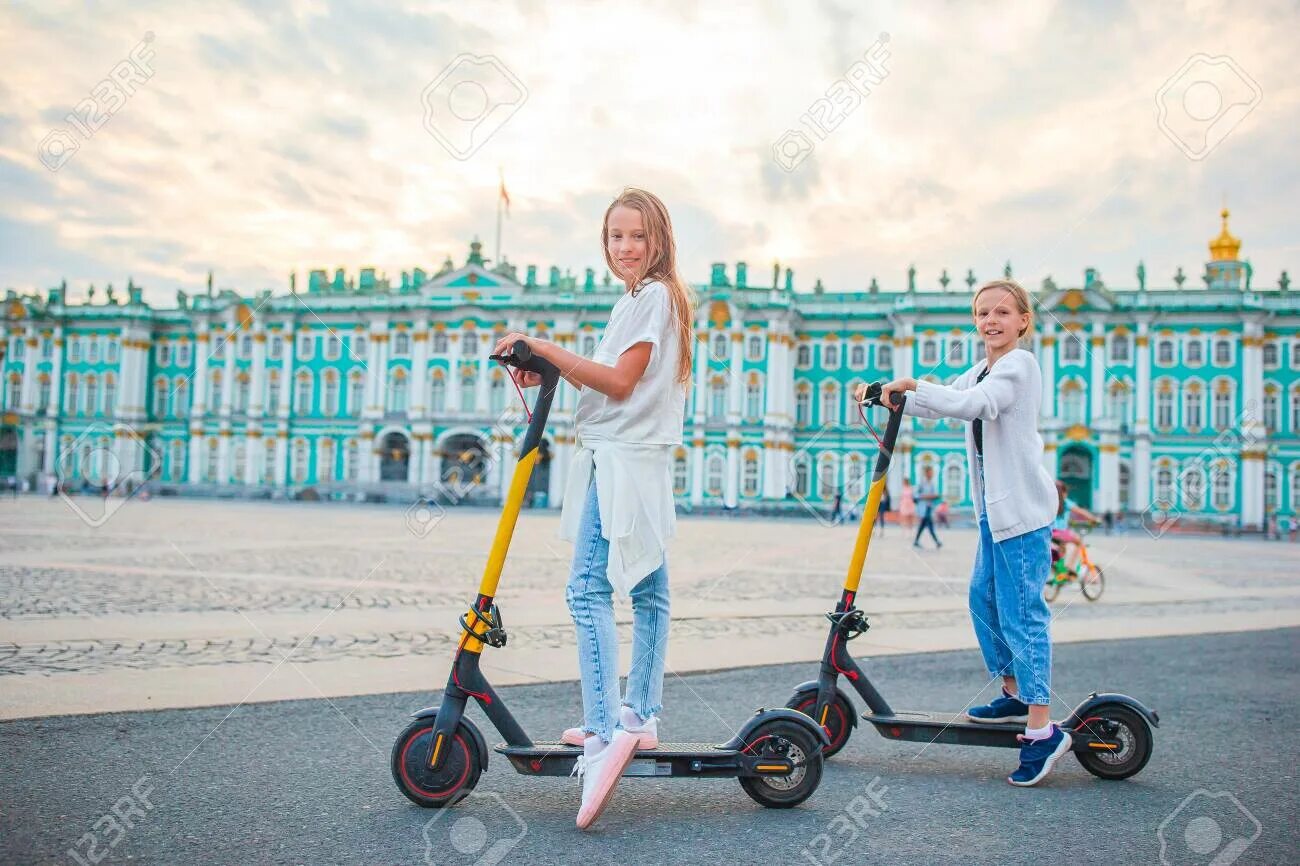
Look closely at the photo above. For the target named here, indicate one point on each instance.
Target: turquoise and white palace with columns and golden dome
(1182, 397)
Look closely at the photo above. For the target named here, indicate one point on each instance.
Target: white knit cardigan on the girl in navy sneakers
(1021, 496)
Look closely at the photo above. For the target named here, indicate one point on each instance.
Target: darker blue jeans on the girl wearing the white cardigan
(1012, 620)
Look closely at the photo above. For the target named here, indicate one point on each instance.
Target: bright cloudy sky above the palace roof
(261, 141)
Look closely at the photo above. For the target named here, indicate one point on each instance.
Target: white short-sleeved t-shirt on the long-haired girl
(656, 410)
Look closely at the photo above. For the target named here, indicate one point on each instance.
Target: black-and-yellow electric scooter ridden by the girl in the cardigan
(1112, 733)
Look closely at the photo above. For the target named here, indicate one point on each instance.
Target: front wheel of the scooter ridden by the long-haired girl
(452, 782)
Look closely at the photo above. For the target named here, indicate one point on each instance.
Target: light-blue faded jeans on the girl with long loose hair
(591, 600)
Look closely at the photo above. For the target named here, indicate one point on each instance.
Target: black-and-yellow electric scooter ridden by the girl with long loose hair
(440, 756)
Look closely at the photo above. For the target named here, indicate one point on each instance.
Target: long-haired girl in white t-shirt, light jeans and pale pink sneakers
(618, 501)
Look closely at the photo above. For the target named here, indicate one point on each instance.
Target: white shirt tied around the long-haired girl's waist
(634, 487)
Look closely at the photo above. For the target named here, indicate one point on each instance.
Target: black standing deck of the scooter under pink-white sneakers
(699, 760)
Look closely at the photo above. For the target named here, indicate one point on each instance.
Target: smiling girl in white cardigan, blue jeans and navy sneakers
(1017, 504)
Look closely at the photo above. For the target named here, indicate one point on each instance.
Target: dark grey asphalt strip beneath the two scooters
(307, 782)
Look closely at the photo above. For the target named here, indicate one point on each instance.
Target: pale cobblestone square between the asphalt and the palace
(168, 587)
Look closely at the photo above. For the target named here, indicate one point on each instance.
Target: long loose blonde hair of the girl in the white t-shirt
(661, 263)
